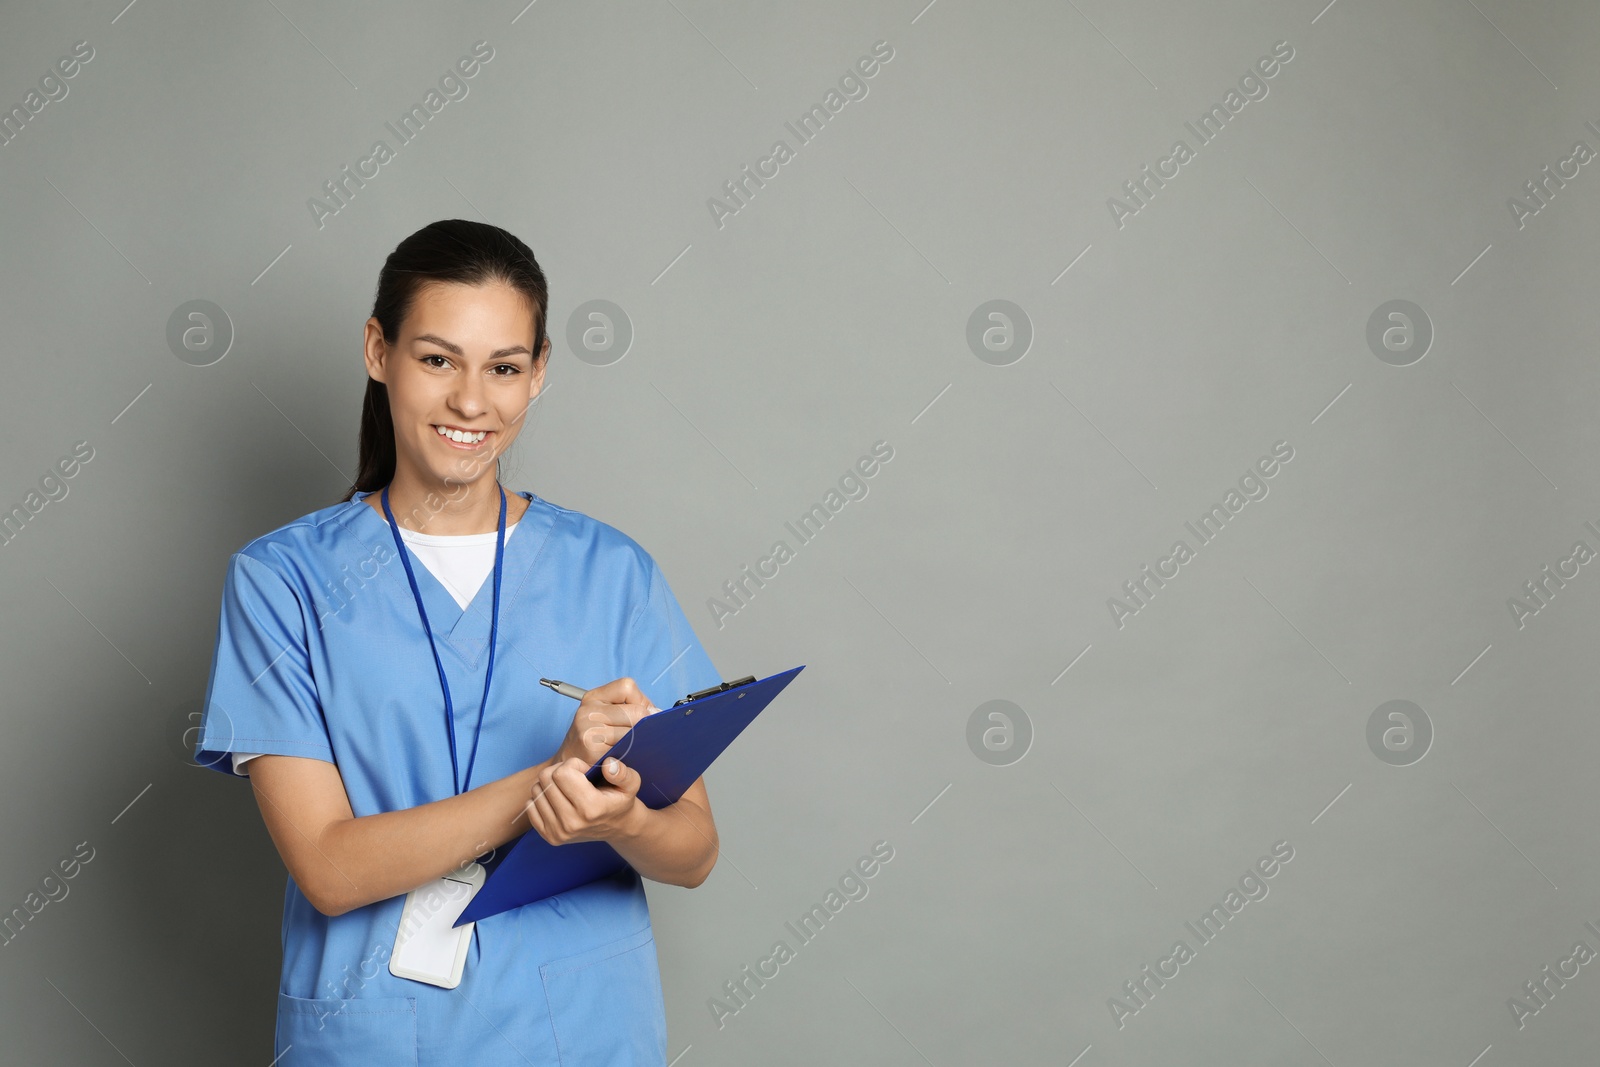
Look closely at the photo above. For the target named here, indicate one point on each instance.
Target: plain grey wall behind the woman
(769, 356)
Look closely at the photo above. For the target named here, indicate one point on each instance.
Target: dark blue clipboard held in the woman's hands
(670, 749)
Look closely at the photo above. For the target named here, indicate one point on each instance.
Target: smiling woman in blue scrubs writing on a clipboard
(377, 677)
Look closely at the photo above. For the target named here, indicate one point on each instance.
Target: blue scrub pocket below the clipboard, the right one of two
(606, 1005)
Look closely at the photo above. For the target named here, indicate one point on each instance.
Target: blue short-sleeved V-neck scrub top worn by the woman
(321, 653)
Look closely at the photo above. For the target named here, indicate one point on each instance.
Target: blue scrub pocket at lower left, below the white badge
(337, 1033)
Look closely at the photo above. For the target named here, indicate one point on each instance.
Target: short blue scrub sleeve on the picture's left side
(262, 697)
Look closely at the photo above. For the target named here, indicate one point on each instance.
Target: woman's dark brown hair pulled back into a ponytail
(450, 250)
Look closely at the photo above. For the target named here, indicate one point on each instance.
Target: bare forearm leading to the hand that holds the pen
(385, 855)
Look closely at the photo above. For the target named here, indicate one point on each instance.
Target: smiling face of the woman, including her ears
(463, 366)
